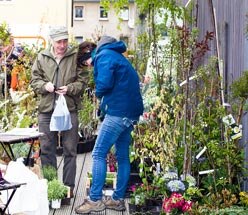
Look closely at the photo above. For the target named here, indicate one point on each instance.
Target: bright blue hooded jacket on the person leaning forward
(117, 83)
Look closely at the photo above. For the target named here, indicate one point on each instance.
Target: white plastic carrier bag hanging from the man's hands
(61, 118)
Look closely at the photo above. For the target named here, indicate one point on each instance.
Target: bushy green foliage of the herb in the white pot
(56, 190)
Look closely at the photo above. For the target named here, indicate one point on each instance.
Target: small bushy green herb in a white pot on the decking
(56, 191)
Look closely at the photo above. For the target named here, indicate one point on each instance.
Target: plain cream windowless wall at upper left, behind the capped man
(33, 17)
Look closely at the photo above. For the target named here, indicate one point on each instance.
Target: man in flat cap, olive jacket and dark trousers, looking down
(55, 72)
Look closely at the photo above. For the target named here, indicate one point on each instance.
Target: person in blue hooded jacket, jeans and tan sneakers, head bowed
(117, 86)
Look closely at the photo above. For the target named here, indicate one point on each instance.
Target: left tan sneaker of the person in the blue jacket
(89, 206)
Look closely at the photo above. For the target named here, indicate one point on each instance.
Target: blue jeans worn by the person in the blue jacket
(114, 131)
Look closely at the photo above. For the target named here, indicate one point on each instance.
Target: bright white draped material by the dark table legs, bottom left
(29, 199)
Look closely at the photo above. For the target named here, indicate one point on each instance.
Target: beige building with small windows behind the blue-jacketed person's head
(90, 20)
